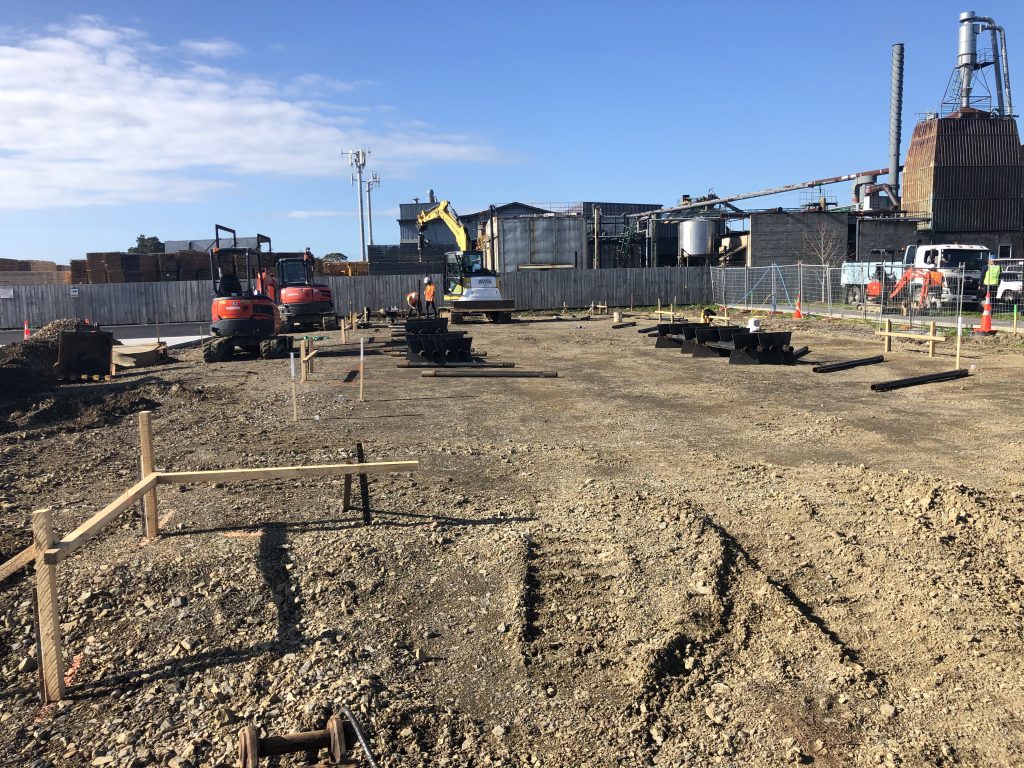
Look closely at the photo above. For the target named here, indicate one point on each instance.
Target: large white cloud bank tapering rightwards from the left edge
(95, 115)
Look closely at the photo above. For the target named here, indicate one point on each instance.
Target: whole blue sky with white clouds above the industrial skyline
(126, 118)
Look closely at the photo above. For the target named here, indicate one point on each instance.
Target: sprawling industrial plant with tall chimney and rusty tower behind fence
(963, 182)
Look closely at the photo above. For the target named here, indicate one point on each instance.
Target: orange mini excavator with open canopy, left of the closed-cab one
(244, 319)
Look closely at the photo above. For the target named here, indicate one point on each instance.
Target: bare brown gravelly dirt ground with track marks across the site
(652, 561)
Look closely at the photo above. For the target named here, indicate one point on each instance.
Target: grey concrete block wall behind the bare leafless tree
(781, 238)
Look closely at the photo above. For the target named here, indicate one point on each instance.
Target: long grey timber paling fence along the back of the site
(142, 304)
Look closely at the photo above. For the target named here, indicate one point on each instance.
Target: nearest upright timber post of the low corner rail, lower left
(51, 651)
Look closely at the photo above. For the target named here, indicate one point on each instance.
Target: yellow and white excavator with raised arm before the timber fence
(471, 288)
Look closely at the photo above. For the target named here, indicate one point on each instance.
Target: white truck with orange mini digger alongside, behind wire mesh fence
(927, 276)
